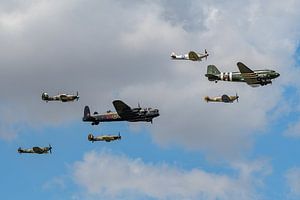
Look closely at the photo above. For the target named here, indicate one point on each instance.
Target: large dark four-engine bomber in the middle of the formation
(124, 113)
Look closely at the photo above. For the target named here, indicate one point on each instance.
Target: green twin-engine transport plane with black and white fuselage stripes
(254, 78)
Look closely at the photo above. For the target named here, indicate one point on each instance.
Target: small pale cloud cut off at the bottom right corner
(293, 180)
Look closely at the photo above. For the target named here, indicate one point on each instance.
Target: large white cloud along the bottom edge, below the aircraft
(109, 176)
